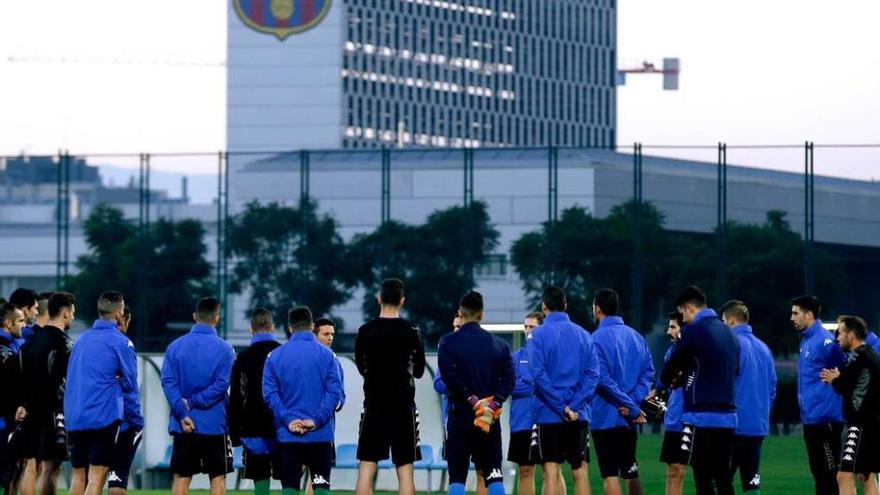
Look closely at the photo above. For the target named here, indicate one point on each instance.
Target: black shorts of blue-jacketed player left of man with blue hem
(194, 454)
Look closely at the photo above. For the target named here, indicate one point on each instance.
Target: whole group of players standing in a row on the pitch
(81, 401)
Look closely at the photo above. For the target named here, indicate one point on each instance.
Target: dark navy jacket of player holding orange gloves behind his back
(474, 362)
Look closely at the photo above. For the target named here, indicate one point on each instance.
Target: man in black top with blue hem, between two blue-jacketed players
(251, 422)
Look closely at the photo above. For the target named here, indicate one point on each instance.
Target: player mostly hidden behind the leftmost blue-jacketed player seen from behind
(129, 431)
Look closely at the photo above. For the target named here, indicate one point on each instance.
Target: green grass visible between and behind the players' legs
(784, 470)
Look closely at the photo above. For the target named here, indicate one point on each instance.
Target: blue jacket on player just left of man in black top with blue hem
(195, 377)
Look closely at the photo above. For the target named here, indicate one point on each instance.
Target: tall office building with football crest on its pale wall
(329, 74)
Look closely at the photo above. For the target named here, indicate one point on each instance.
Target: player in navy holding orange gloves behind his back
(477, 368)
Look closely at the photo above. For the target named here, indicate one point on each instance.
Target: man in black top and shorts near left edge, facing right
(44, 365)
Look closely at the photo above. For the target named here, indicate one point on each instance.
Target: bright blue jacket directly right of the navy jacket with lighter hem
(755, 385)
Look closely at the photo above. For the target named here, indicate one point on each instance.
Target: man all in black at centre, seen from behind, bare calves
(389, 355)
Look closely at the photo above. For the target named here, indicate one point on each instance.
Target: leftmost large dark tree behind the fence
(168, 260)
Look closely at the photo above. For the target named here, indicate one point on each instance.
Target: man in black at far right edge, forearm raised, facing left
(859, 385)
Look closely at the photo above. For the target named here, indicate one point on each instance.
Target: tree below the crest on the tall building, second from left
(285, 257)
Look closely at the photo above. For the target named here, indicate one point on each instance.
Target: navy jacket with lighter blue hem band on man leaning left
(707, 355)
